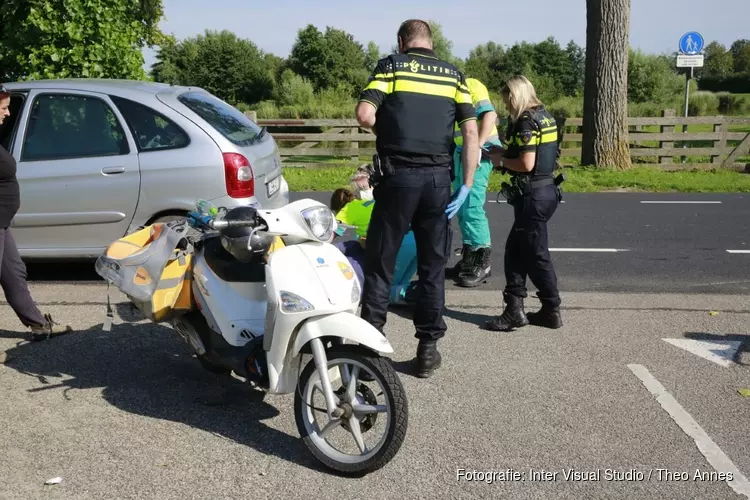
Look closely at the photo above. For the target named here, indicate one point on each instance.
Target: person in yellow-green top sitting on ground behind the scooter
(353, 207)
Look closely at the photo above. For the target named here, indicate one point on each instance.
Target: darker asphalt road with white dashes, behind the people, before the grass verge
(606, 242)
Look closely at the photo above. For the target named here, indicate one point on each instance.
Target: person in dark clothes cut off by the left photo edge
(12, 268)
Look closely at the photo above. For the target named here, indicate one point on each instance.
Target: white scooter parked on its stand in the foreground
(258, 316)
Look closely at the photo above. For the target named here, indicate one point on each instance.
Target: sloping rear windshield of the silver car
(227, 120)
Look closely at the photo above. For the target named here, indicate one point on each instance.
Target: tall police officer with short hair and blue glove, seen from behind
(411, 102)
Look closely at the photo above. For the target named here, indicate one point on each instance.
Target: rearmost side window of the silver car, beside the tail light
(152, 130)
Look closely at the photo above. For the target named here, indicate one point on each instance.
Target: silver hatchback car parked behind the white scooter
(98, 158)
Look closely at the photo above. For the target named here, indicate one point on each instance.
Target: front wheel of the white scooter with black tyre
(363, 405)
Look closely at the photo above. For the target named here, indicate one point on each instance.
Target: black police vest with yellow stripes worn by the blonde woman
(543, 138)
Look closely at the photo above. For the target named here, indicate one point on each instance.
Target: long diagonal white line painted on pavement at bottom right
(718, 460)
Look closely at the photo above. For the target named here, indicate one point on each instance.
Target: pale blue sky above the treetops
(273, 25)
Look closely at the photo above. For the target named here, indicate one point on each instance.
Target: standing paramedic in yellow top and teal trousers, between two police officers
(474, 266)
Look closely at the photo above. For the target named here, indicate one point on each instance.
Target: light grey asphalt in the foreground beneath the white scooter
(119, 414)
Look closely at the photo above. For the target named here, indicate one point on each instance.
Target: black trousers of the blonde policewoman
(527, 247)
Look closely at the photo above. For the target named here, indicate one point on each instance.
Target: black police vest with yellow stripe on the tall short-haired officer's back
(419, 111)
